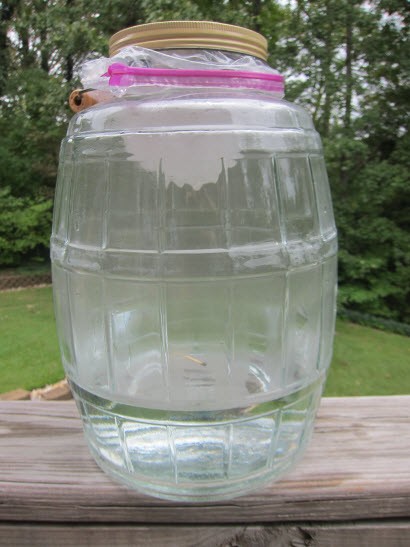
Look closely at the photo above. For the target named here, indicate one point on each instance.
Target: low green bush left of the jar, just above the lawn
(25, 225)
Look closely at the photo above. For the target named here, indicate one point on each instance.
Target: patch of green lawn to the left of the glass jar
(29, 355)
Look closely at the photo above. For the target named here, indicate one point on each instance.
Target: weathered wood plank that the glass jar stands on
(357, 467)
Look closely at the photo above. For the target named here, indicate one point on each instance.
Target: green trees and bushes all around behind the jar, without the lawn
(346, 61)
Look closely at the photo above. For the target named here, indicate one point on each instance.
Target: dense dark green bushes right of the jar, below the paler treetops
(372, 208)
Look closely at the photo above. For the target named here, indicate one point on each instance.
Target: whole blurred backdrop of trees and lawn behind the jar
(346, 61)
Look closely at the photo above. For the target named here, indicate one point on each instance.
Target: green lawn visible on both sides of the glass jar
(366, 361)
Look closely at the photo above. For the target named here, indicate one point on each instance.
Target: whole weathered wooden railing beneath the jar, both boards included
(351, 489)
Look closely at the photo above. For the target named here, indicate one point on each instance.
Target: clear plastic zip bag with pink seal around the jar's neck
(137, 66)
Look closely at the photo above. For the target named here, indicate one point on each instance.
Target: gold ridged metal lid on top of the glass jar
(191, 34)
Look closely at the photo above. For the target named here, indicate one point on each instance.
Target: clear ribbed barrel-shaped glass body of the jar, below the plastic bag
(194, 273)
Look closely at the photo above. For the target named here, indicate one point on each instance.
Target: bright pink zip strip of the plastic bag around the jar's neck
(123, 75)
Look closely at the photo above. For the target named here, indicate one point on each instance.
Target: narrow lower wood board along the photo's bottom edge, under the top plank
(369, 534)
